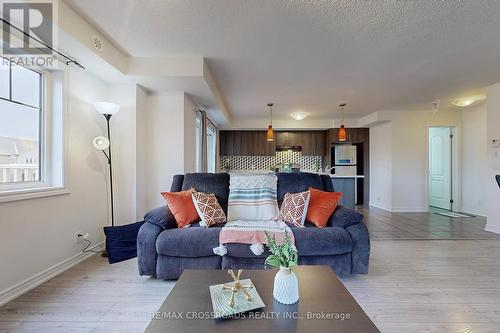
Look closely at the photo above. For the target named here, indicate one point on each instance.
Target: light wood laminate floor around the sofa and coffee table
(413, 286)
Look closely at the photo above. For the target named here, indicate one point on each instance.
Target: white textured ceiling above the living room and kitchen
(313, 55)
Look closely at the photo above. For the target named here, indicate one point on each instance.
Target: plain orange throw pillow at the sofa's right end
(321, 206)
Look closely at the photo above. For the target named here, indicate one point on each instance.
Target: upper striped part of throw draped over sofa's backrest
(252, 197)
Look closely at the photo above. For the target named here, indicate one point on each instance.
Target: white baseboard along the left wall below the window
(37, 279)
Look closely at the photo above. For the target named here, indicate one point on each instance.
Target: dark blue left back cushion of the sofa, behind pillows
(216, 183)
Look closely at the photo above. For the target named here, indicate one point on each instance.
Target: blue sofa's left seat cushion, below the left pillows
(190, 242)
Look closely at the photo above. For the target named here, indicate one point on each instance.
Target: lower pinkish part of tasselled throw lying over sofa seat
(252, 233)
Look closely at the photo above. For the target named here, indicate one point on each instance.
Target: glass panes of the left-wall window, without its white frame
(20, 123)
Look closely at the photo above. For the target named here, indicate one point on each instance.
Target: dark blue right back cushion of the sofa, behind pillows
(297, 182)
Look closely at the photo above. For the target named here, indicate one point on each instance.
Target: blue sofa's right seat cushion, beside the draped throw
(311, 241)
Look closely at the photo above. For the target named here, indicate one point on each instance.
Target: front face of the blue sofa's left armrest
(146, 248)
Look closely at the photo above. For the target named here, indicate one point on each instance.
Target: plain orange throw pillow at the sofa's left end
(182, 207)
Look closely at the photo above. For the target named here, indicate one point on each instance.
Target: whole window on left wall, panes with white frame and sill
(32, 143)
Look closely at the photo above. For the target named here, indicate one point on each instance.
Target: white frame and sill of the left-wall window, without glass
(50, 182)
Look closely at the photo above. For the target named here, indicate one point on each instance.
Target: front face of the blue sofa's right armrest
(360, 254)
